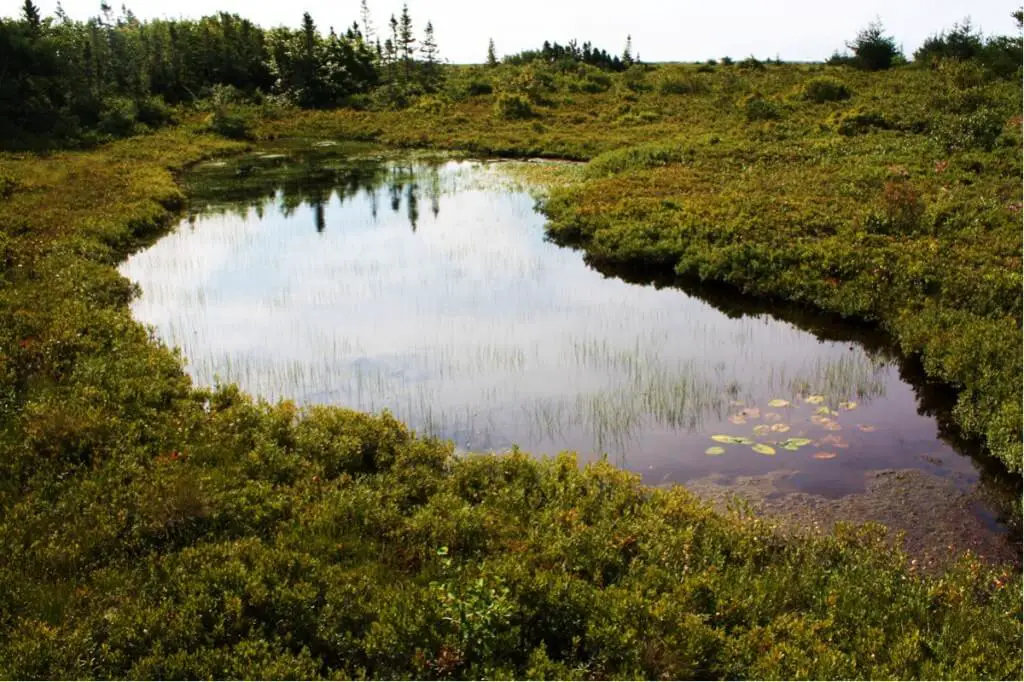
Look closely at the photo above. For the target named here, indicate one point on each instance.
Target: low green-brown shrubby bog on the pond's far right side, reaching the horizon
(891, 197)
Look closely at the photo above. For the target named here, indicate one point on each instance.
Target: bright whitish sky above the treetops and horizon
(662, 30)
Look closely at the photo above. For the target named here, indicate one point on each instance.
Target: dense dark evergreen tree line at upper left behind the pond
(61, 77)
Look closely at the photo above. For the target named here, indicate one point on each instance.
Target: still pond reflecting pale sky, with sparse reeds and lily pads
(425, 286)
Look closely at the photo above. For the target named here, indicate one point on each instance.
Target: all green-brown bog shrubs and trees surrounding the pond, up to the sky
(153, 530)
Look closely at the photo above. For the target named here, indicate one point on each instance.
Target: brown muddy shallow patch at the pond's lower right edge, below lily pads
(940, 521)
